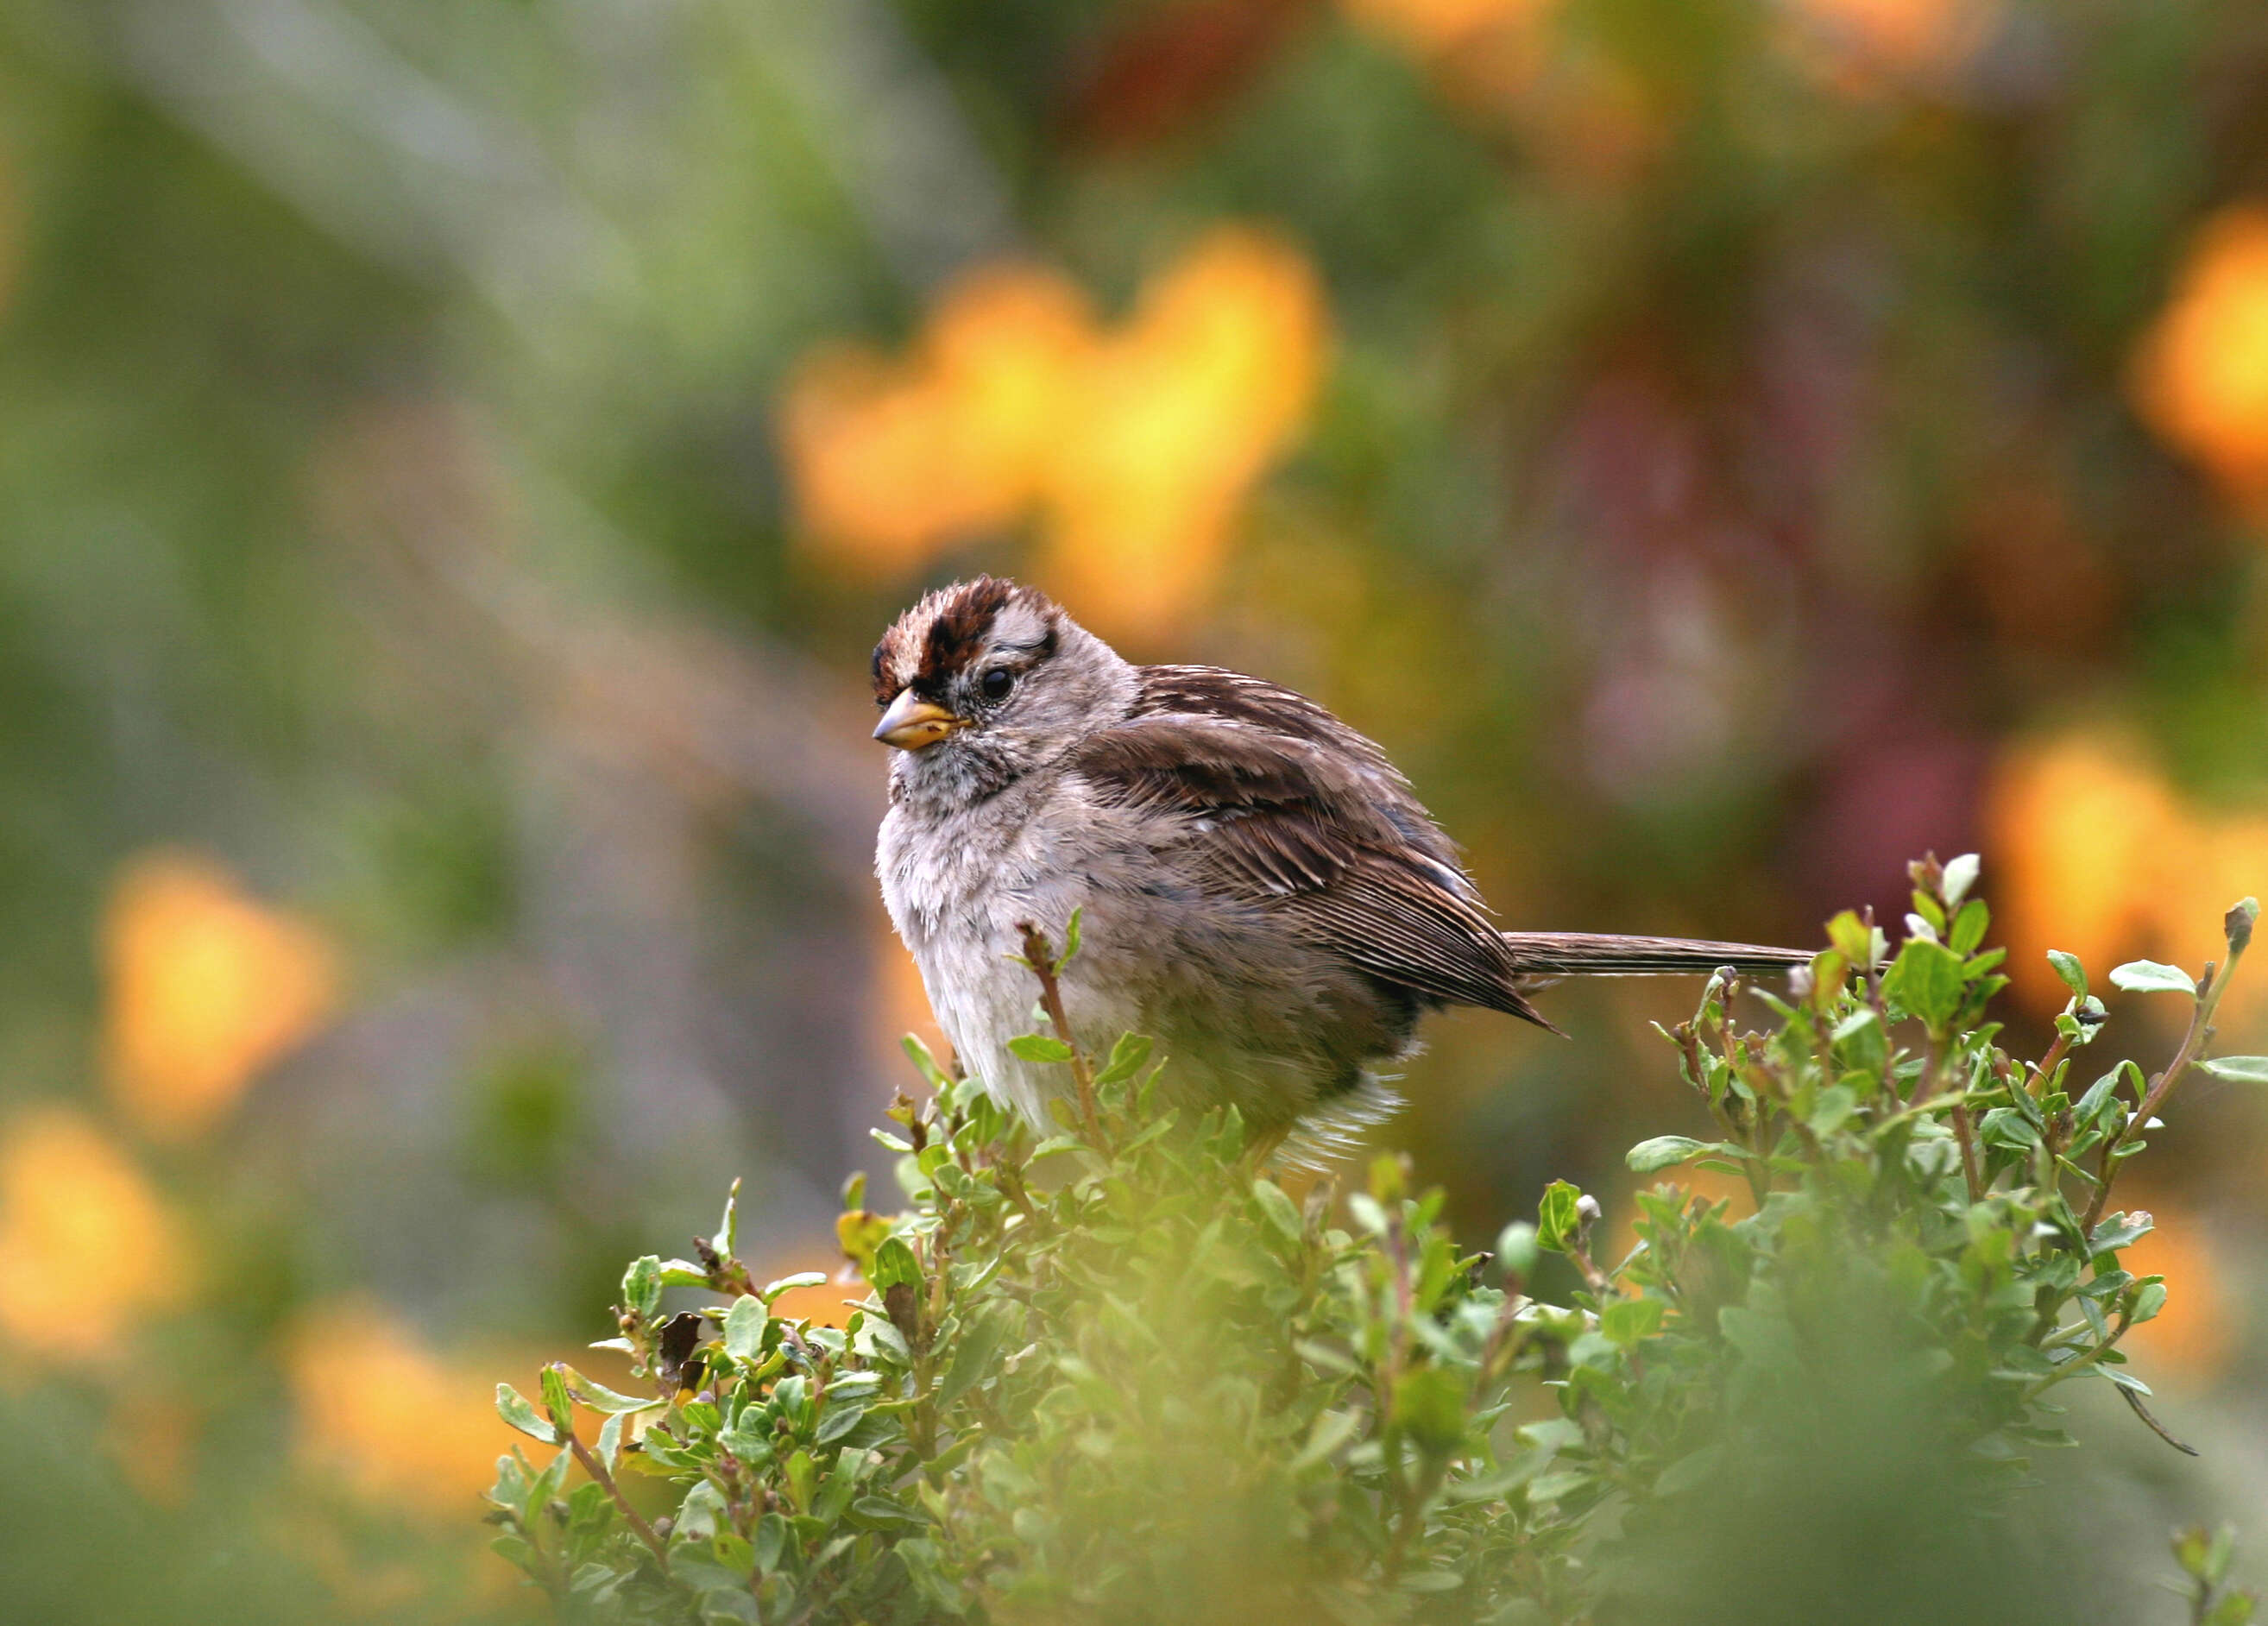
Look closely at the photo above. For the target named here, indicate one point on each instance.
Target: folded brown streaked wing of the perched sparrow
(1294, 811)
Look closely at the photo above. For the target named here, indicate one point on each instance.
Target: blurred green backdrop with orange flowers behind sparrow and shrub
(455, 461)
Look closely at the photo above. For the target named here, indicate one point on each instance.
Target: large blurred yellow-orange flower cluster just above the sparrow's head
(1135, 448)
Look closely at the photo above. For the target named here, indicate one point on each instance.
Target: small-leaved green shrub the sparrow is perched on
(1122, 1375)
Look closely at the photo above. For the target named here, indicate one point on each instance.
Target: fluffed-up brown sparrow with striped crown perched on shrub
(1258, 888)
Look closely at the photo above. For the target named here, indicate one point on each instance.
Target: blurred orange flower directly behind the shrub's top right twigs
(2094, 854)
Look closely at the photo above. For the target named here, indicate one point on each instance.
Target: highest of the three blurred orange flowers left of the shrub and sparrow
(205, 990)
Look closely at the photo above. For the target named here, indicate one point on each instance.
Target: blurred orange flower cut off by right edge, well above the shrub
(2201, 375)
